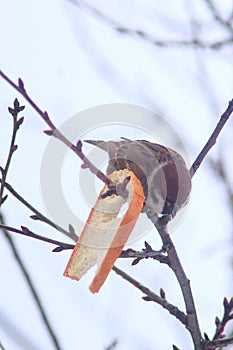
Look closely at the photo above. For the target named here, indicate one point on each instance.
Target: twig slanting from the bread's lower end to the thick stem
(151, 296)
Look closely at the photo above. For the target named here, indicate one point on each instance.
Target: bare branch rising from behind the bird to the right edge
(213, 138)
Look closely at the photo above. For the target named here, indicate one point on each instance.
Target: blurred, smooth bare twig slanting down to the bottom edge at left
(32, 287)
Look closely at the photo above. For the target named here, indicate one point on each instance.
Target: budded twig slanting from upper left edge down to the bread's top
(77, 149)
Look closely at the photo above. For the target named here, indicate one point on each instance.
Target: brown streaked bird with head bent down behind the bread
(162, 171)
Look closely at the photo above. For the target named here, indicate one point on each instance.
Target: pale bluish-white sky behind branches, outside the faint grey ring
(70, 60)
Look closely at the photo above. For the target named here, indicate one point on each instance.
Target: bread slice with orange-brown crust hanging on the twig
(106, 231)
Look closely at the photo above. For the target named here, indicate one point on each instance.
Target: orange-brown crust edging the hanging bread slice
(120, 238)
